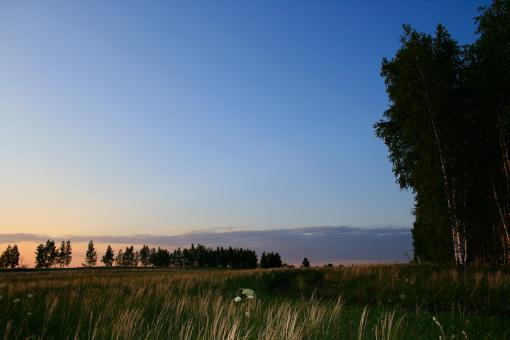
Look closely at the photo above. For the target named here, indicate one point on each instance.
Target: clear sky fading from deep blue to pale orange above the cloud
(169, 117)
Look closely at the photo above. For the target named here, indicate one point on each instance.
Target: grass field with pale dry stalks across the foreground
(360, 302)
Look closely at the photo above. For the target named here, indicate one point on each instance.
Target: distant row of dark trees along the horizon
(48, 255)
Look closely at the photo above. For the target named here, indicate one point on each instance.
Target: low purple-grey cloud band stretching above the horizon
(342, 244)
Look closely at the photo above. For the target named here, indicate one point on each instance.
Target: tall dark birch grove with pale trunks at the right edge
(448, 133)
